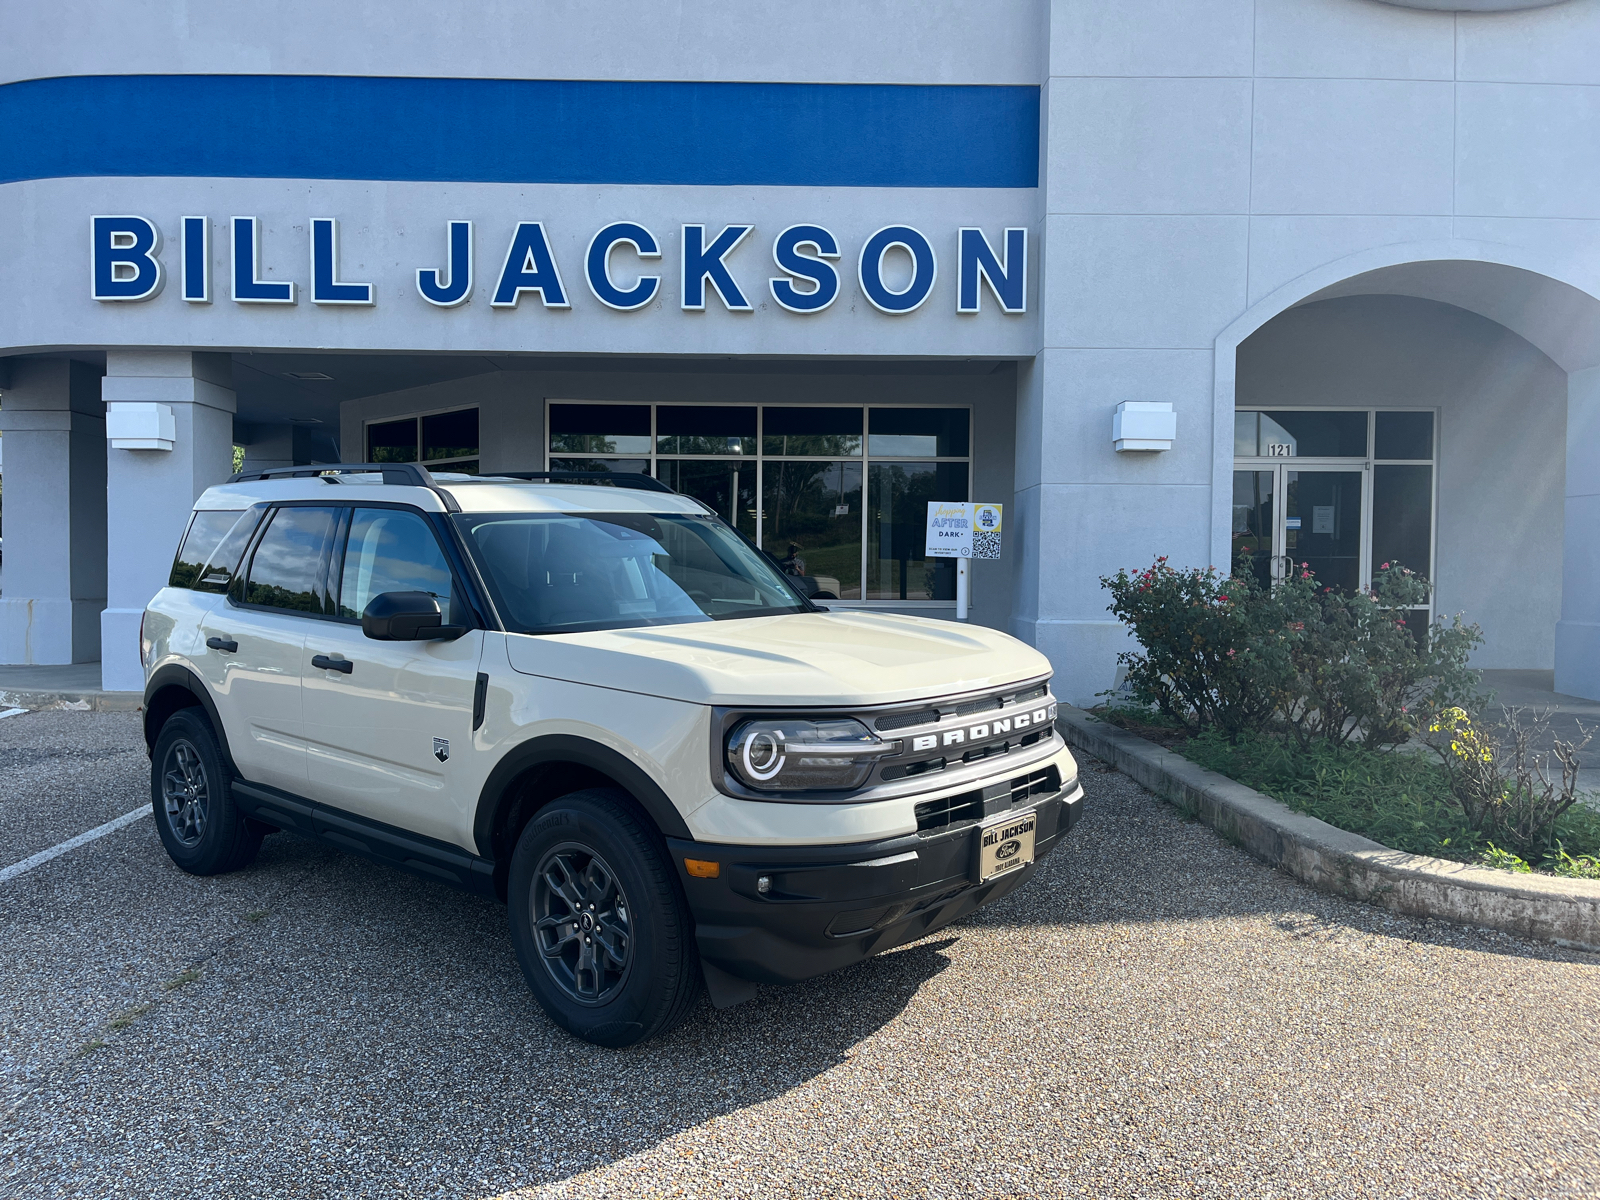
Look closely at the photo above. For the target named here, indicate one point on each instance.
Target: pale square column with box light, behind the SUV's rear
(150, 494)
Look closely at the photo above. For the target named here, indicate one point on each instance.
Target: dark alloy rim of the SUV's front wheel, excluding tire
(582, 922)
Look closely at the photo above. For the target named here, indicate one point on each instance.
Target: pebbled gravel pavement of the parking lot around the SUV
(1158, 1015)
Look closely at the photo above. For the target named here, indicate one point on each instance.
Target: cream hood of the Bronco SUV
(801, 658)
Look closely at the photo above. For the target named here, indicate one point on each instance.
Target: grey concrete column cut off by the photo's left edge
(54, 583)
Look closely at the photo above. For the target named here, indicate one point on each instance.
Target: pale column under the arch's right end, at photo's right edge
(1578, 631)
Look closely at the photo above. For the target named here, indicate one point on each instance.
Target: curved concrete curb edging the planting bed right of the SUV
(1564, 911)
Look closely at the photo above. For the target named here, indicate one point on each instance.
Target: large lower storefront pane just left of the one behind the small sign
(812, 524)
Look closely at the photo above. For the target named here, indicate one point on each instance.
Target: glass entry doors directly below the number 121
(1295, 516)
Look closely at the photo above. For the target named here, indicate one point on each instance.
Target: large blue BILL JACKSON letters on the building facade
(126, 265)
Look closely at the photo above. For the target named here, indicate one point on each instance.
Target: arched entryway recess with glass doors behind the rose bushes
(1438, 406)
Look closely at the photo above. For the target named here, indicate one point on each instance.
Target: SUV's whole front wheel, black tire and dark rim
(599, 922)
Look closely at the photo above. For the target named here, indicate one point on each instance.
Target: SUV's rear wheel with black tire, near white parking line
(202, 830)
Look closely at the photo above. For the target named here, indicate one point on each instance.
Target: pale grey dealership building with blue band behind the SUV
(1238, 282)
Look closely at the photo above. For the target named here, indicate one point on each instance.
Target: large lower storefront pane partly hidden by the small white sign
(898, 564)
